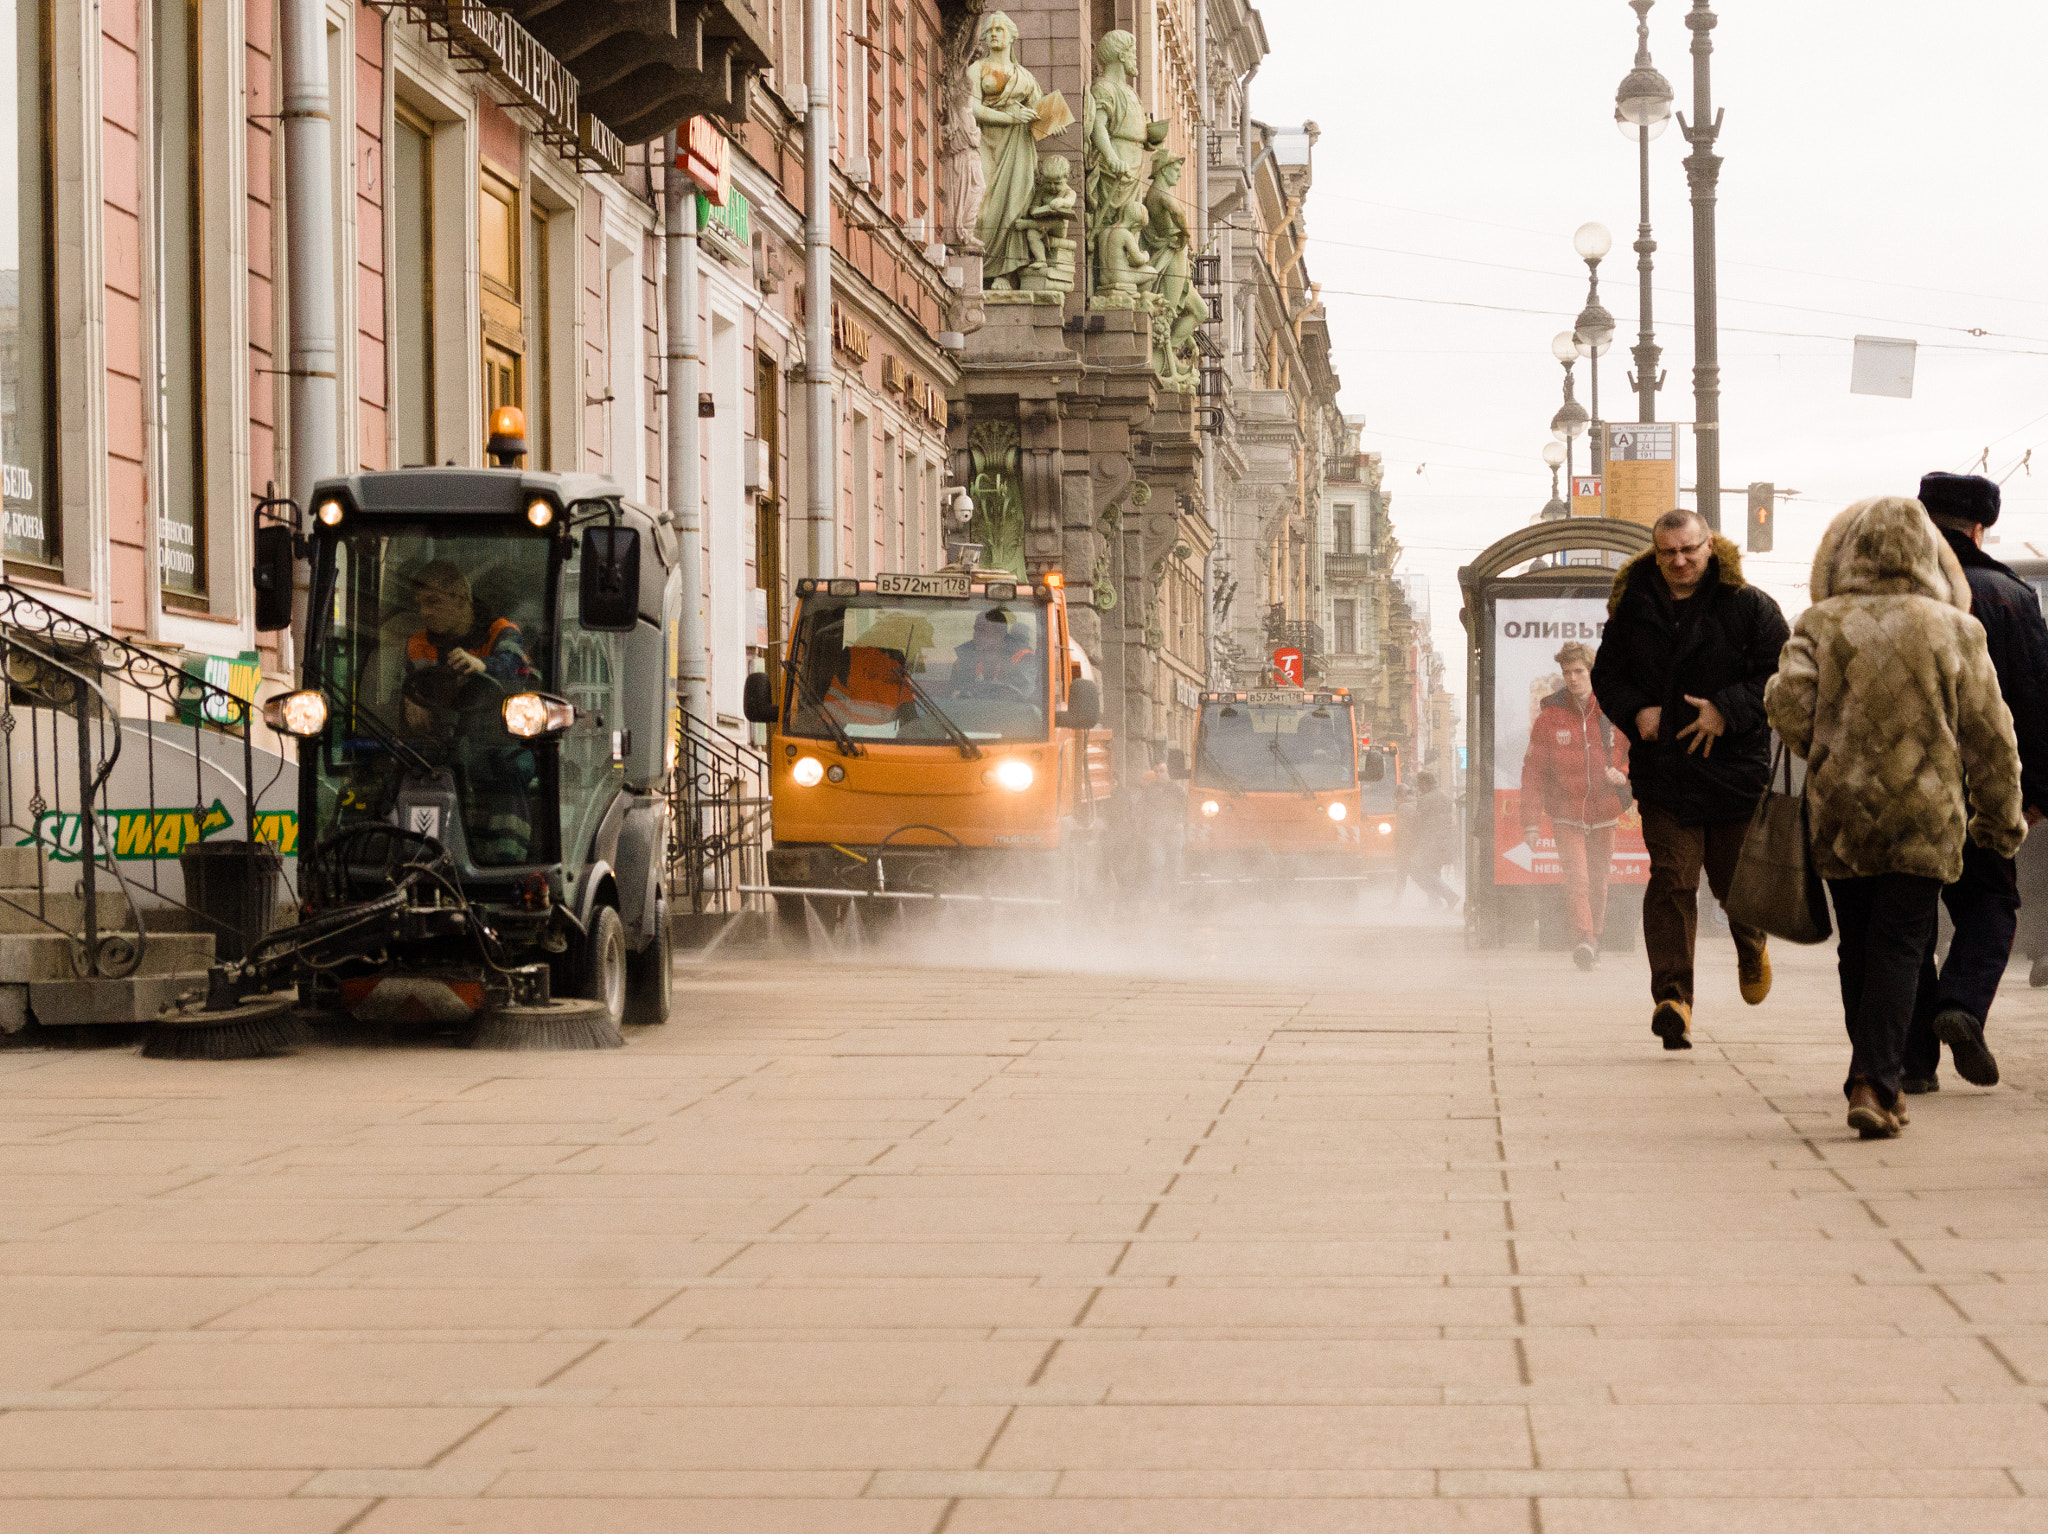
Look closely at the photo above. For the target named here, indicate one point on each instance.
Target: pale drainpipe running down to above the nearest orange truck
(822, 511)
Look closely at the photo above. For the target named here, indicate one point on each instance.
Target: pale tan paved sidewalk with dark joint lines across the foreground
(1308, 1230)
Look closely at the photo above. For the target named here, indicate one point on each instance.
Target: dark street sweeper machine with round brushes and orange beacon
(486, 720)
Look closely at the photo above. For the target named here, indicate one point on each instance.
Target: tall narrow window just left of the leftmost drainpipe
(181, 351)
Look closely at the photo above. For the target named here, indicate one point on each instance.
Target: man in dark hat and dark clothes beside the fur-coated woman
(1986, 902)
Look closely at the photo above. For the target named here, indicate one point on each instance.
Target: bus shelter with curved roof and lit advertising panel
(1517, 617)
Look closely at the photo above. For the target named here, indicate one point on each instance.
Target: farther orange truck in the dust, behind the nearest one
(1275, 792)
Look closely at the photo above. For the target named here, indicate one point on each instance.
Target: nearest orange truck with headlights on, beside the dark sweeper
(931, 736)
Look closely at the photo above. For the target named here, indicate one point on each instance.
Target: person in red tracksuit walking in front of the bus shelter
(1578, 775)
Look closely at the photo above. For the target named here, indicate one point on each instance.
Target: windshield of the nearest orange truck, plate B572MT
(886, 667)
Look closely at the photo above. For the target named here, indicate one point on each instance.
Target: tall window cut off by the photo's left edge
(28, 296)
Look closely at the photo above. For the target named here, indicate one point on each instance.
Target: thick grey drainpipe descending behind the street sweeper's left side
(308, 261)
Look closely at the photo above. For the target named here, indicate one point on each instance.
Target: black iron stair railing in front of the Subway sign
(75, 699)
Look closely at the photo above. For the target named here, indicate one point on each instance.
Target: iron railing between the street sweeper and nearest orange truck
(720, 820)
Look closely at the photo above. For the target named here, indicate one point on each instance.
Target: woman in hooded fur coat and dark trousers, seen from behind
(1887, 691)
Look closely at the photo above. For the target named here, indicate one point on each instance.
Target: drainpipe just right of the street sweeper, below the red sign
(685, 497)
